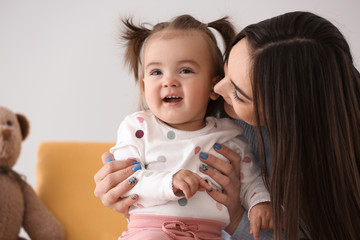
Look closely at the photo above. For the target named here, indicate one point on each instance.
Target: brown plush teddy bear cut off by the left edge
(19, 204)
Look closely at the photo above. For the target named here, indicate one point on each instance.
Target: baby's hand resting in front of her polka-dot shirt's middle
(187, 183)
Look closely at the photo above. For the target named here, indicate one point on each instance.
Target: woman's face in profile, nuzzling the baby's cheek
(236, 87)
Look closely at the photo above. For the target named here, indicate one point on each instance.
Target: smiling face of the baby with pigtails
(178, 79)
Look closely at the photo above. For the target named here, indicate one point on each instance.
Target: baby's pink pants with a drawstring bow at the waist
(146, 227)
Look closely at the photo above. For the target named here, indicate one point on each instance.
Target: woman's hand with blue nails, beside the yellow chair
(110, 184)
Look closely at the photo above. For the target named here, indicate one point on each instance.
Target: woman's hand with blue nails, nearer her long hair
(228, 177)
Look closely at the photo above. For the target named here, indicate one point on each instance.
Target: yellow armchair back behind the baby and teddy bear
(65, 183)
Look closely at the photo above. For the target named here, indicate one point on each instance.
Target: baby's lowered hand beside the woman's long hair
(260, 218)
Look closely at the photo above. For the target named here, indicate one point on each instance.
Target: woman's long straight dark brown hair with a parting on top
(306, 86)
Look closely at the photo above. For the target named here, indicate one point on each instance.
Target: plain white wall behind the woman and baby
(61, 64)
